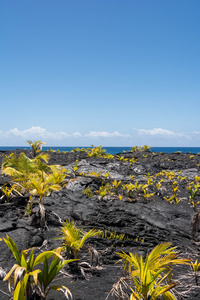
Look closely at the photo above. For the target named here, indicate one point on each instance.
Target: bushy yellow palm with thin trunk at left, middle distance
(34, 176)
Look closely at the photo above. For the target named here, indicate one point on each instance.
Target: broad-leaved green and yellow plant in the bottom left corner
(26, 277)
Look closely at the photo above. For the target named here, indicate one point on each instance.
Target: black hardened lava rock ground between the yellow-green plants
(137, 223)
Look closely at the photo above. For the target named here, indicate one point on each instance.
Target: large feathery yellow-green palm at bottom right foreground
(148, 274)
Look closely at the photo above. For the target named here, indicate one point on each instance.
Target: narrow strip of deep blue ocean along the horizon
(115, 150)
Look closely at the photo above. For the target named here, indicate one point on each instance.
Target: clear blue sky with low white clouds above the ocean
(102, 72)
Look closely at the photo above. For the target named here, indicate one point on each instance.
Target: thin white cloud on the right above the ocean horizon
(161, 132)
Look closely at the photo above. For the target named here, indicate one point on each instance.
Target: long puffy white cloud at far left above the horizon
(37, 132)
